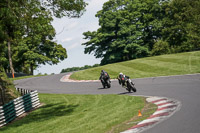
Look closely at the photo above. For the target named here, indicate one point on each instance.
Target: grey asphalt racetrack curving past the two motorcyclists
(184, 88)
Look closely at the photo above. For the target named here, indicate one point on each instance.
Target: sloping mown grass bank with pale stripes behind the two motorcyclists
(164, 65)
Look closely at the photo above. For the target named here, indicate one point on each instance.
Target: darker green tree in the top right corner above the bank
(181, 25)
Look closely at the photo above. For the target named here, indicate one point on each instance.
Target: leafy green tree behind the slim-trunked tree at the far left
(37, 46)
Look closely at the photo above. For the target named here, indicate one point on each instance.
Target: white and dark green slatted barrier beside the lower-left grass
(18, 106)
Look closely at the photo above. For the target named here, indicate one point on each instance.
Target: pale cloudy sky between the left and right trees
(69, 33)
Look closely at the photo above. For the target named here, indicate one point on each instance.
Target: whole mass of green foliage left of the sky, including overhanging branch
(27, 35)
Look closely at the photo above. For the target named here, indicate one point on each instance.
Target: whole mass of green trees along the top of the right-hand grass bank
(130, 29)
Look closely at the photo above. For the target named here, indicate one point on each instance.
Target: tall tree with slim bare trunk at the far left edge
(9, 24)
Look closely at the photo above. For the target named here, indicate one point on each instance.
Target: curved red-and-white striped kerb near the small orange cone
(165, 108)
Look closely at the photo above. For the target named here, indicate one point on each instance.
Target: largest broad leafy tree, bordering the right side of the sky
(127, 30)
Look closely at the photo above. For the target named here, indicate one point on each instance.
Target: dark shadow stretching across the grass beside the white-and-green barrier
(47, 112)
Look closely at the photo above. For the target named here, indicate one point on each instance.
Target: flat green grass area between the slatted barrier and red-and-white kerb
(63, 113)
